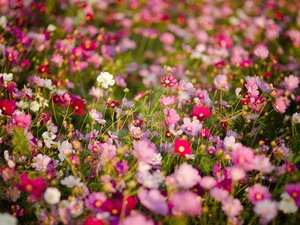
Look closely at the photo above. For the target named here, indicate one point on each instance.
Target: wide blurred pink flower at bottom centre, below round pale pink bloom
(185, 203)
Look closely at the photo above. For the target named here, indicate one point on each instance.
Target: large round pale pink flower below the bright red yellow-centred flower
(186, 176)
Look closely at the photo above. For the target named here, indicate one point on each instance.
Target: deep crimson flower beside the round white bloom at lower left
(34, 187)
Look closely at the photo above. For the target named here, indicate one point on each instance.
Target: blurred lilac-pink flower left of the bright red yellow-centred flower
(144, 150)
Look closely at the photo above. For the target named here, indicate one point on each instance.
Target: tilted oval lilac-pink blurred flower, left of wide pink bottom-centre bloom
(153, 200)
